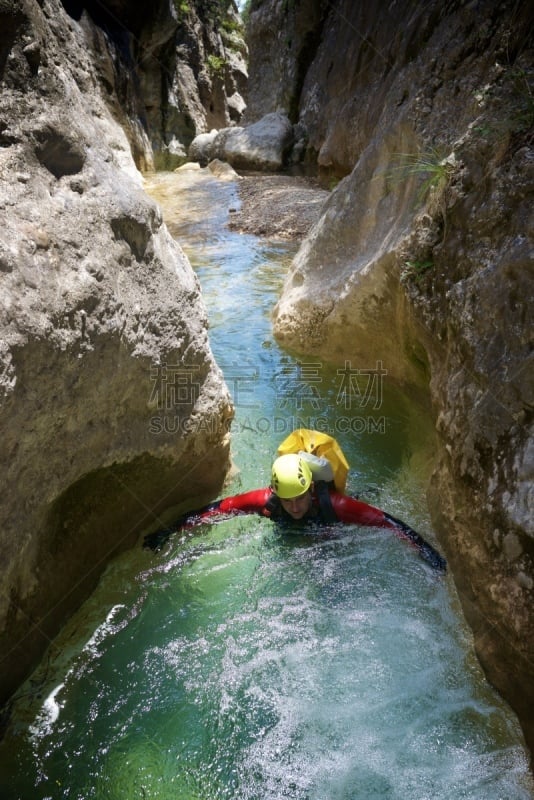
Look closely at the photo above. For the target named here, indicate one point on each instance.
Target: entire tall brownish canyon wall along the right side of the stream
(423, 258)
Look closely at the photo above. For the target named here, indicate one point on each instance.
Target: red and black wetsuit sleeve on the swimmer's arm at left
(247, 503)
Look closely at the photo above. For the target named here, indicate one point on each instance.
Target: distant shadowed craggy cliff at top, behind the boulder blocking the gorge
(171, 70)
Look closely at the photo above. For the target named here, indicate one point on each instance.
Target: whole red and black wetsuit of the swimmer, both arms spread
(327, 506)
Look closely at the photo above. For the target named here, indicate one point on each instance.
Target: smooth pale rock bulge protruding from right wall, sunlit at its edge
(359, 313)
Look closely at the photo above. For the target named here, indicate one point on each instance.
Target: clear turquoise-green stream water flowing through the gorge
(243, 663)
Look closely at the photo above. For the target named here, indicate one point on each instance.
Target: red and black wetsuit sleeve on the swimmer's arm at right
(348, 509)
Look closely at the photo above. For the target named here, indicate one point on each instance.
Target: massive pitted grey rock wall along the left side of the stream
(112, 409)
